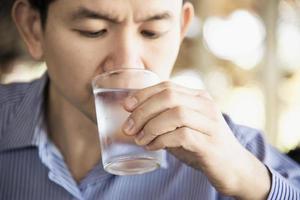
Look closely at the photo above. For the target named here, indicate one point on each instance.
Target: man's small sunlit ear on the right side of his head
(186, 18)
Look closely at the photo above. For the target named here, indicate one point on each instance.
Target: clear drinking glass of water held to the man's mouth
(120, 154)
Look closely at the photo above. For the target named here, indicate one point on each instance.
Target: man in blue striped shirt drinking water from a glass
(49, 143)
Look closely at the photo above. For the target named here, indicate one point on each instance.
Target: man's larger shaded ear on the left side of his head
(29, 25)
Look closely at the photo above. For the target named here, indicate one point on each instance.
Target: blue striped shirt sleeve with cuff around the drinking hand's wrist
(285, 173)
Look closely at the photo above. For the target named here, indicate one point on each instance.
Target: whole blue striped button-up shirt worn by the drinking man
(31, 167)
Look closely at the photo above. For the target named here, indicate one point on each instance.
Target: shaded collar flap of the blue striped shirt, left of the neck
(20, 131)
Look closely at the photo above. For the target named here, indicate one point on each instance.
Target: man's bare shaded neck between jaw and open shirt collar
(73, 133)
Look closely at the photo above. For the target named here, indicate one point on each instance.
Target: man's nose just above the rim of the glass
(126, 52)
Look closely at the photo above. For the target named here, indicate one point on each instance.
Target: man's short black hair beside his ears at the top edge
(43, 5)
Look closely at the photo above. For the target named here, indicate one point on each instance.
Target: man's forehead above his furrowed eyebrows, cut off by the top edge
(120, 8)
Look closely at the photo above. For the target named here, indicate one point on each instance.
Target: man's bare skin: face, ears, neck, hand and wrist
(78, 45)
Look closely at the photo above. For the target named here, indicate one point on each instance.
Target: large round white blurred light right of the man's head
(238, 38)
